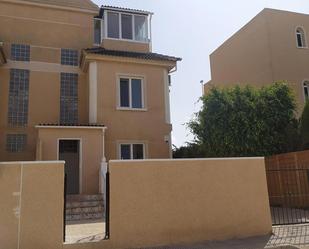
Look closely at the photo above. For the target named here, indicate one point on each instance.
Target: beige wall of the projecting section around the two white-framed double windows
(149, 125)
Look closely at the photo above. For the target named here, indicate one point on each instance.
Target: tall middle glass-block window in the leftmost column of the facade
(18, 97)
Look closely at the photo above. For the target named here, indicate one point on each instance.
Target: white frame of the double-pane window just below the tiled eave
(143, 90)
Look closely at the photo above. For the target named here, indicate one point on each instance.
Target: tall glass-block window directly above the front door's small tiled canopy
(69, 98)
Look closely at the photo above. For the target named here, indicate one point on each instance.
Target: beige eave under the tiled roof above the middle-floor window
(86, 58)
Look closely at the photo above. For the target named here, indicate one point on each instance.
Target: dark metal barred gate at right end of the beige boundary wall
(288, 189)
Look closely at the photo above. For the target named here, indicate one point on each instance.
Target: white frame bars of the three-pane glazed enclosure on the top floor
(120, 27)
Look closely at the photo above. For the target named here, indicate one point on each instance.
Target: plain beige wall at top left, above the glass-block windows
(45, 26)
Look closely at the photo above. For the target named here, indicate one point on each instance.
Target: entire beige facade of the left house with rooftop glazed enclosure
(81, 84)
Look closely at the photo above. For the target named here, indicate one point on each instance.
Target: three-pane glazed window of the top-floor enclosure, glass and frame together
(127, 26)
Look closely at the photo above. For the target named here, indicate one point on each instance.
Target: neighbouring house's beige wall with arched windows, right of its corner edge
(289, 63)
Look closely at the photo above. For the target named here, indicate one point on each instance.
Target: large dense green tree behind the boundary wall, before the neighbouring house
(245, 121)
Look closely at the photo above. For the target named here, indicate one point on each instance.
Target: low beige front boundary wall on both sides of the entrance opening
(150, 203)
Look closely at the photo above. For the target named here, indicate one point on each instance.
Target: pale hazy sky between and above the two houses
(192, 30)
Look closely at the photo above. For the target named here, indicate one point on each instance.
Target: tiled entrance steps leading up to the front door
(84, 207)
